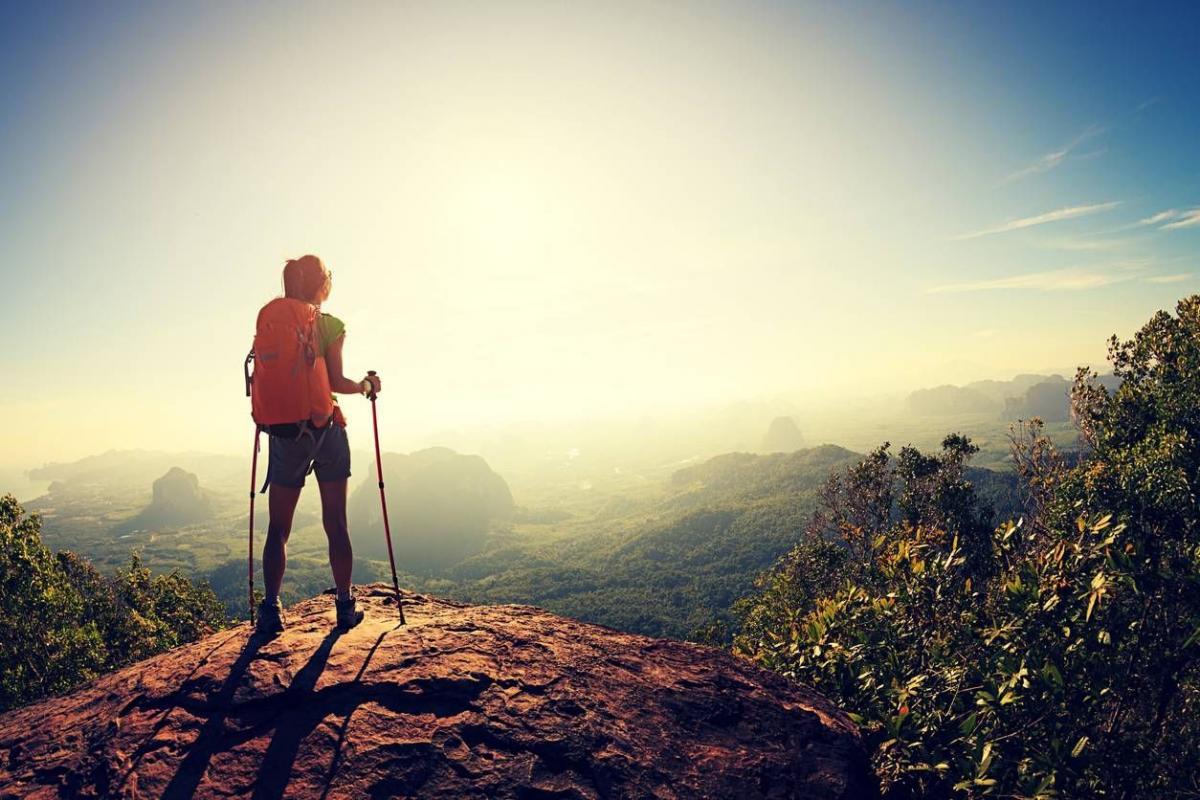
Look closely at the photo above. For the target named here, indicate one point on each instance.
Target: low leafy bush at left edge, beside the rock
(65, 623)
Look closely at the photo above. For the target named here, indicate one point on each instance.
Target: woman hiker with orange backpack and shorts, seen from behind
(298, 369)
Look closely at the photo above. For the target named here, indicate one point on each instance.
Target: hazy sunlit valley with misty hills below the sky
(551, 513)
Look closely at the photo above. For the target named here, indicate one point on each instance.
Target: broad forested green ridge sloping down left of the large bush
(671, 563)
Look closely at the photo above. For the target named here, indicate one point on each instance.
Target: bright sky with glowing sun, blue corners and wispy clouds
(561, 210)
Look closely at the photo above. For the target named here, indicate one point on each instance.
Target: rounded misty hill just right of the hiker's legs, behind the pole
(441, 506)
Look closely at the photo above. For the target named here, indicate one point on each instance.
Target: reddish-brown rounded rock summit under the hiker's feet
(463, 702)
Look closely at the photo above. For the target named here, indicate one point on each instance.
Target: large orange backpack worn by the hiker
(291, 383)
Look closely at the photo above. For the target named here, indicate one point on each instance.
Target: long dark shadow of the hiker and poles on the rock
(295, 714)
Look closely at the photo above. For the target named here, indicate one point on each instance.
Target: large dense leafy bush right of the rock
(1057, 655)
